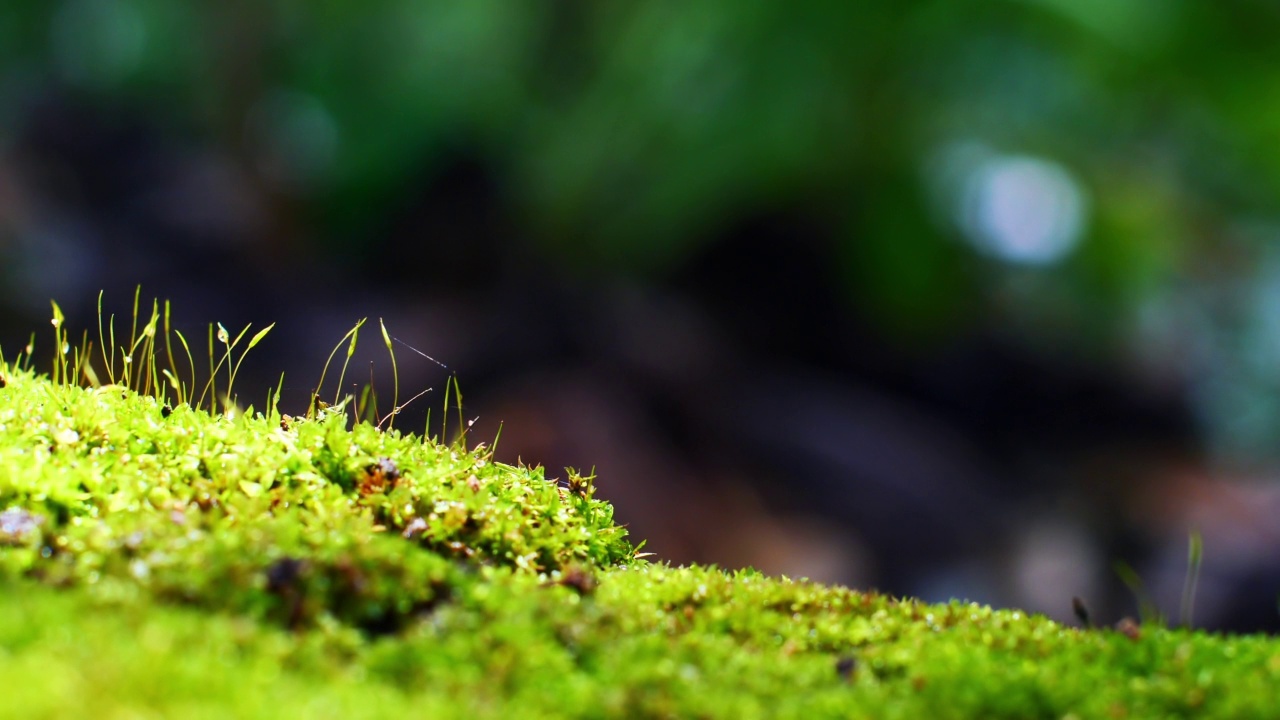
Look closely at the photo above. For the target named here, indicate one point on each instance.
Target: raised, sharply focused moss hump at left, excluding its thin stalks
(292, 521)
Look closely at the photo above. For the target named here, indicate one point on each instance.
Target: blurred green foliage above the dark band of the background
(628, 136)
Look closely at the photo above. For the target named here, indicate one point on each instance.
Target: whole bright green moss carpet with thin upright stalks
(164, 552)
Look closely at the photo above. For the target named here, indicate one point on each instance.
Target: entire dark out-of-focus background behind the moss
(948, 299)
